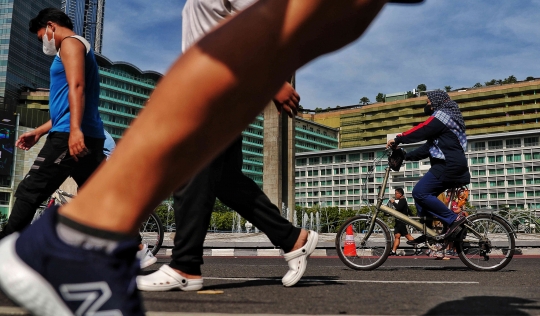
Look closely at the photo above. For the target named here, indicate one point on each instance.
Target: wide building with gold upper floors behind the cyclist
(503, 137)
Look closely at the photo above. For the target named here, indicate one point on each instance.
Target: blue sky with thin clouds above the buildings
(439, 43)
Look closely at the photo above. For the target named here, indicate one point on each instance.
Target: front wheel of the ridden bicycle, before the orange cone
(359, 255)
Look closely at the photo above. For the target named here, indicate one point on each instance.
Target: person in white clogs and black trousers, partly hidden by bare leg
(224, 179)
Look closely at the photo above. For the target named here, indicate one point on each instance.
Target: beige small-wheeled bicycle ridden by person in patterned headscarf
(486, 241)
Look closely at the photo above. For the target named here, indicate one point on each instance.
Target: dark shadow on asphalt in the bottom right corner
(485, 305)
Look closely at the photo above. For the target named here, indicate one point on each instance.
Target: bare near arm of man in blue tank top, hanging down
(73, 53)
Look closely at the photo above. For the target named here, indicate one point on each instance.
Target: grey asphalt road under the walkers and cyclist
(402, 286)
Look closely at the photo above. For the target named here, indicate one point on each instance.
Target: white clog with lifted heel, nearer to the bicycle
(297, 260)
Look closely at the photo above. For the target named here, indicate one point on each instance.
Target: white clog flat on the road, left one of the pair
(166, 279)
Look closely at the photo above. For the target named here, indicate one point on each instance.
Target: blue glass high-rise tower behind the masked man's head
(87, 17)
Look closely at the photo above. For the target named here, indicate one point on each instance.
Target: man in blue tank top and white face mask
(74, 146)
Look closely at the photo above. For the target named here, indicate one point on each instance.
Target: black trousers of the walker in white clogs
(223, 179)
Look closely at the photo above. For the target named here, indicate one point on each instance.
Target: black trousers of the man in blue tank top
(50, 169)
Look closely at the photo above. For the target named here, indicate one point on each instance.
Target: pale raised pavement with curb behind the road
(258, 244)
